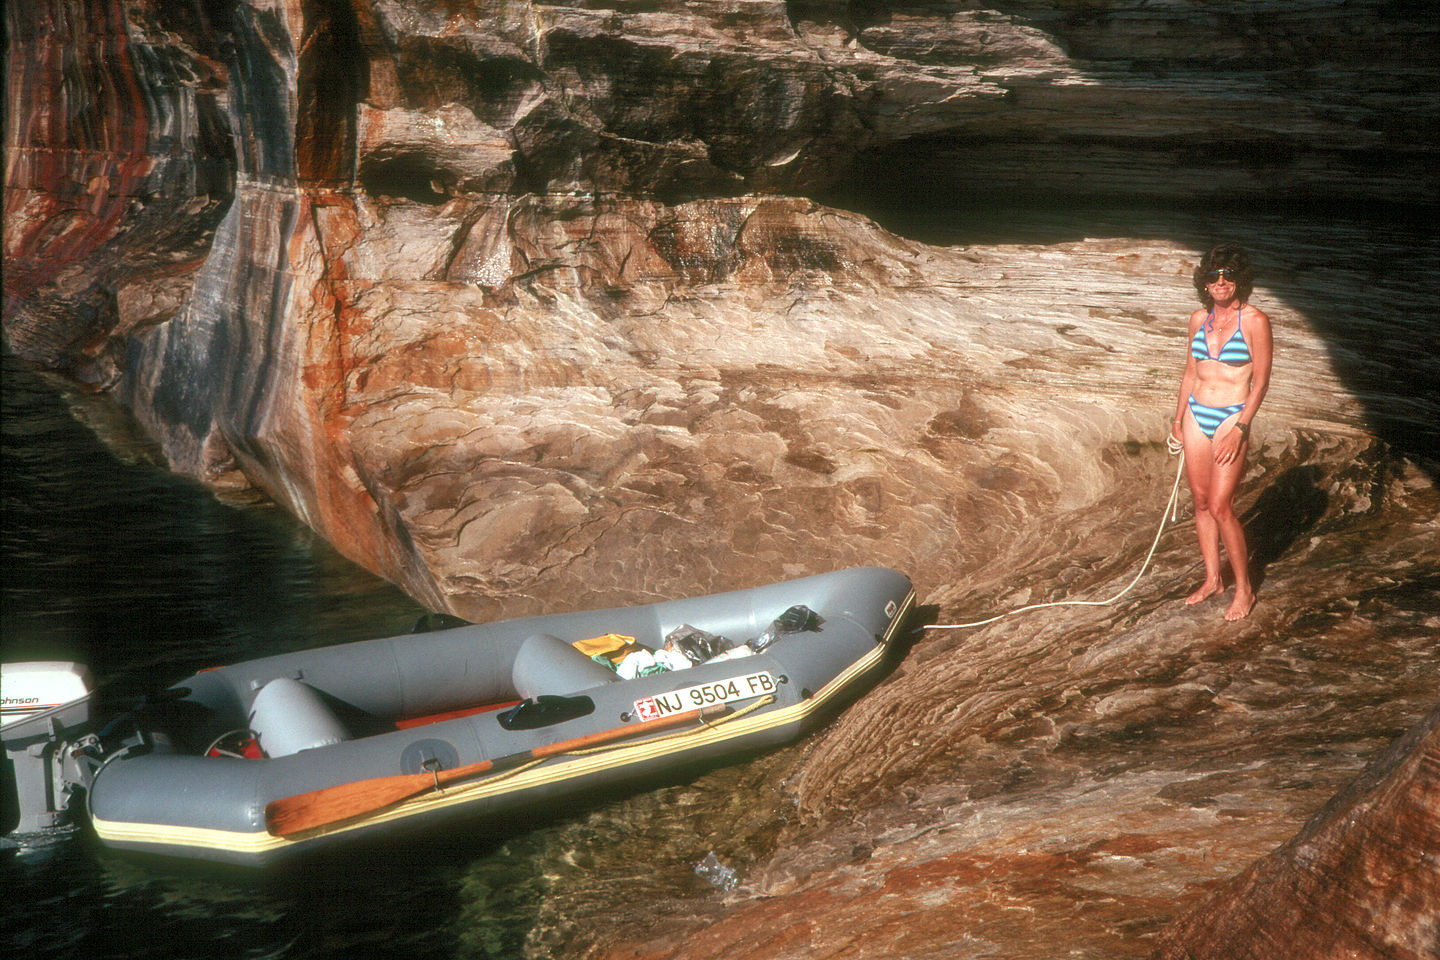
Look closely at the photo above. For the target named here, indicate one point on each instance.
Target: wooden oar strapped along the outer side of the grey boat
(346, 801)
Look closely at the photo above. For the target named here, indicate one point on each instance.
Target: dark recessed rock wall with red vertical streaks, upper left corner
(119, 166)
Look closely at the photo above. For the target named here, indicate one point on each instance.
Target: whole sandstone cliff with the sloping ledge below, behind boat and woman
(554, 306)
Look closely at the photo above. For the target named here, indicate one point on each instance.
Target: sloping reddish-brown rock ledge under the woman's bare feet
(1071, 784)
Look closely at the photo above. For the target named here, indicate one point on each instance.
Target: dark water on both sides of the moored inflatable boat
(148, 578)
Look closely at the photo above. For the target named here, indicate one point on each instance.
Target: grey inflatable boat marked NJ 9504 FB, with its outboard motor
(267, 759)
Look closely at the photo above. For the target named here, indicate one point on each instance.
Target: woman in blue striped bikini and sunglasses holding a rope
(1228, 372)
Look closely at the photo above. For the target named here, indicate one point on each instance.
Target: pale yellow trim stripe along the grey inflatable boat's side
(558, 769)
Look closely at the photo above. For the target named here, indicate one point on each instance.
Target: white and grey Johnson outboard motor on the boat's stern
(50, 751)
